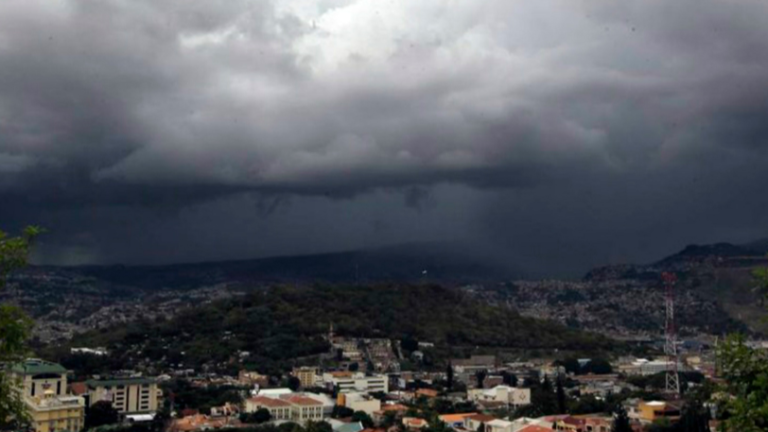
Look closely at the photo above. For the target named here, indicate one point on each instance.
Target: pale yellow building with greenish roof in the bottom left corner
(44, 385)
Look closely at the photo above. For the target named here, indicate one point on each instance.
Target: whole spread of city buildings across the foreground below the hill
(487, 391)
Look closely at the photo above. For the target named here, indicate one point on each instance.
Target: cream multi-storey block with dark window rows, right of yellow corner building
(130, 395)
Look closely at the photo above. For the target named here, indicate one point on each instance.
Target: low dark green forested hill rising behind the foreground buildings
(282, 323)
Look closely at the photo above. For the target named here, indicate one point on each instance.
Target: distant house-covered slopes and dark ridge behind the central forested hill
(714, 293)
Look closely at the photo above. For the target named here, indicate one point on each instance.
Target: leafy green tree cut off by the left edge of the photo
(15, 326)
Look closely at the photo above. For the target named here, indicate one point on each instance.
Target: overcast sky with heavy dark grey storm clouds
(559, 133)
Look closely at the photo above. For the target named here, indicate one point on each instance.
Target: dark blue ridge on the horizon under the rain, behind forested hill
(424, 262)
